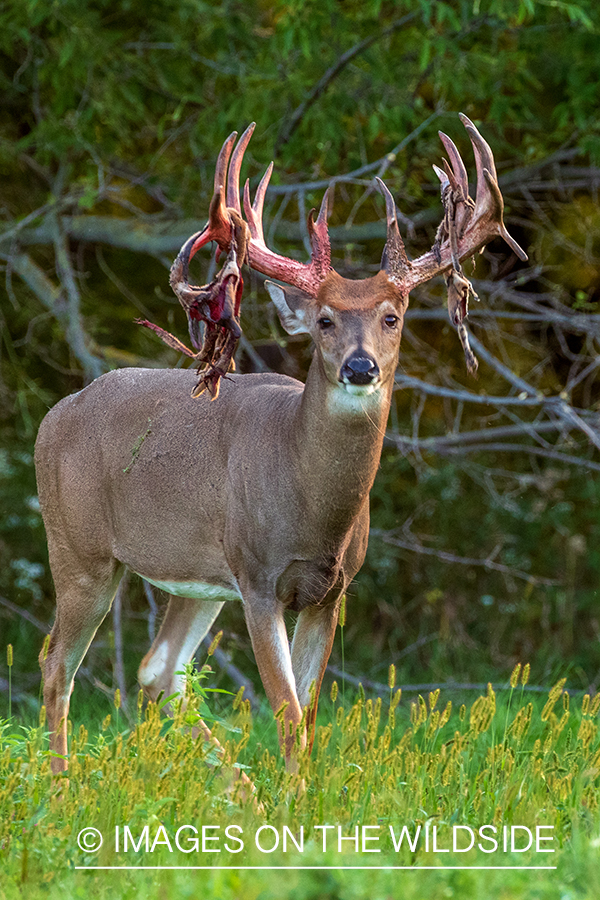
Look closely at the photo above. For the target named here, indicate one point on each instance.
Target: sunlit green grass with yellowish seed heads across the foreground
(502, 762)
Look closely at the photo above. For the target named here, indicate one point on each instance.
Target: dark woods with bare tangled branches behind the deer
(485, 513)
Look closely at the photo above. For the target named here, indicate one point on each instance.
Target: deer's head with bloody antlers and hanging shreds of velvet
(356, 325)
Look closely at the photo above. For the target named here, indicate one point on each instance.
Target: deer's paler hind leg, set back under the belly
(185, 625)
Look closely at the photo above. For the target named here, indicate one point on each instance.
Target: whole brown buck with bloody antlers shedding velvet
(259, 496)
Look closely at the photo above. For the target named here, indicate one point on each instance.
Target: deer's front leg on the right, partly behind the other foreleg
(311, 649)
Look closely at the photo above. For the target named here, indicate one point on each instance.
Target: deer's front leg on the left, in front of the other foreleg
(271, 648)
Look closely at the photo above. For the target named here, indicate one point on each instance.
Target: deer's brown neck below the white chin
(338, 442)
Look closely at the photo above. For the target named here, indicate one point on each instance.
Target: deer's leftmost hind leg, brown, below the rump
(83, 600)
